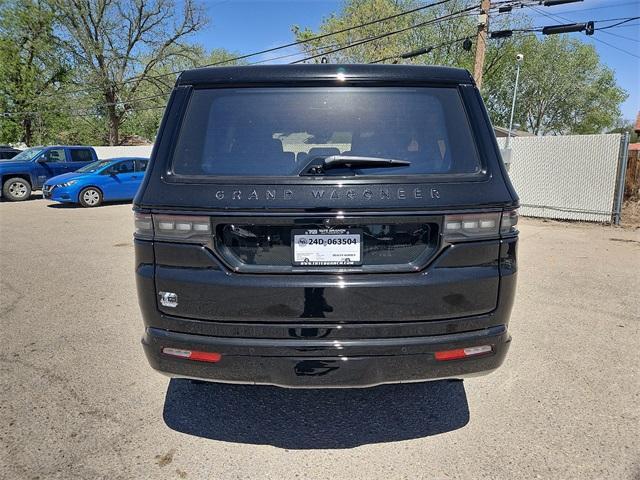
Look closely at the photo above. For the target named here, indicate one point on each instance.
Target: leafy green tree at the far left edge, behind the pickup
(32, 64)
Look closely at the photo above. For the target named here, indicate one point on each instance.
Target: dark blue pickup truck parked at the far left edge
(28, 170)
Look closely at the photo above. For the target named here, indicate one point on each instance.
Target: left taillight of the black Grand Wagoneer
(186, 228)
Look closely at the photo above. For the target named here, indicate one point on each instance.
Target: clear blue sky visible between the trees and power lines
(247, 26)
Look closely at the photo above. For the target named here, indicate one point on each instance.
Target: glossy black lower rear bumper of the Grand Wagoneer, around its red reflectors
(326, 363)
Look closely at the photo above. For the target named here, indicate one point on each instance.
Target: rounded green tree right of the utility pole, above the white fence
(563, 87)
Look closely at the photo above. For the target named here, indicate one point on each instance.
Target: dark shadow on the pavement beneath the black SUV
(315, 419)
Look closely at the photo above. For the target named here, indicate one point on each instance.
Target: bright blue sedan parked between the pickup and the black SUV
(101, 181)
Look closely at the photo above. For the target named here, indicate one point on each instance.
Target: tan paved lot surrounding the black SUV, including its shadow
(78, 400)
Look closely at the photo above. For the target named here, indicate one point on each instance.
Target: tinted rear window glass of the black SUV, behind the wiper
(278, 131)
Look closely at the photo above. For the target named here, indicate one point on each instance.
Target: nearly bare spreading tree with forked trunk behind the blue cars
(117, 44)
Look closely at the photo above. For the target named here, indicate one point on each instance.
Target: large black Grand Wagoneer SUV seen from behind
(325, 225)
